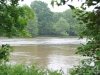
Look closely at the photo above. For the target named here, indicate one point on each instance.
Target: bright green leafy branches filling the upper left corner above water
(13, 19)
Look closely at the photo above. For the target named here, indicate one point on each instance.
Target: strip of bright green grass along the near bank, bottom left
(20, 69)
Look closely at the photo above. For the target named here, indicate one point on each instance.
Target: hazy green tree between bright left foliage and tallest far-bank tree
(32, 27)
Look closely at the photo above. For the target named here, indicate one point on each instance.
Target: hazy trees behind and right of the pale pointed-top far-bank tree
(73, 23)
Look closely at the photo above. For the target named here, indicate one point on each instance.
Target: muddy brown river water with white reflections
(52, 53)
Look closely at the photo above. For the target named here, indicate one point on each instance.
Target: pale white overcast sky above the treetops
(55, 8)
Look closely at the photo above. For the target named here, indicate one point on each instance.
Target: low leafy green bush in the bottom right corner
(85, 68)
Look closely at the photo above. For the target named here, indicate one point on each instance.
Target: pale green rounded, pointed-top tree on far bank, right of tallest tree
(61, 27)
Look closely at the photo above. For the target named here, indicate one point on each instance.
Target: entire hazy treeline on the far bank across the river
(48, 23)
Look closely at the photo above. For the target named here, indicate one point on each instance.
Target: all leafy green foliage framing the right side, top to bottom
(91, 30)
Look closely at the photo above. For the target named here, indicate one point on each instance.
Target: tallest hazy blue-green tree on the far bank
(44, 17)
